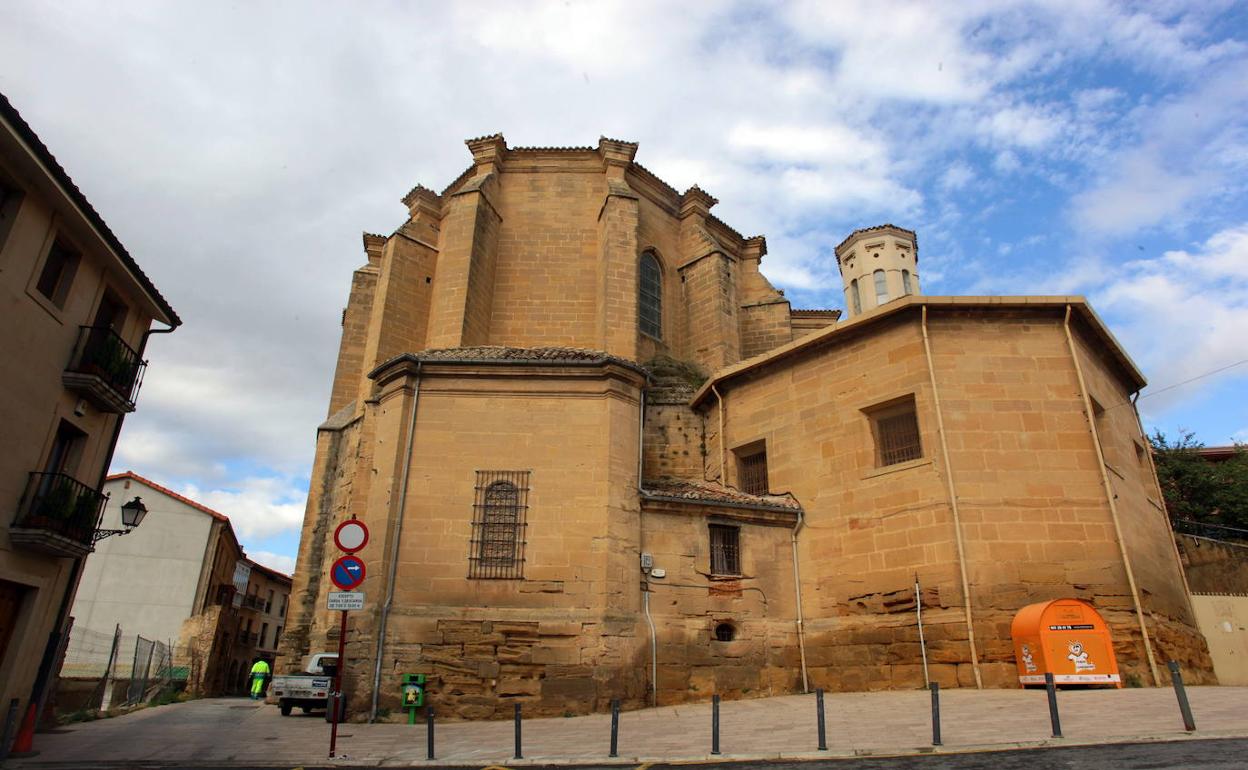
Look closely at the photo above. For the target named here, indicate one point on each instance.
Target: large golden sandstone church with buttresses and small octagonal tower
(602, 457)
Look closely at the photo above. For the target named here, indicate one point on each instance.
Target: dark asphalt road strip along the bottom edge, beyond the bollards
(1222, 754)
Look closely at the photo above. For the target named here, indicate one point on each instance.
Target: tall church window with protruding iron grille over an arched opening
(499, 525)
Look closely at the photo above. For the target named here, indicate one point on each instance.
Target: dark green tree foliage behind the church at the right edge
(1199, 490)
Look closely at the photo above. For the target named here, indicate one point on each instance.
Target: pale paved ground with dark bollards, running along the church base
(236, 731)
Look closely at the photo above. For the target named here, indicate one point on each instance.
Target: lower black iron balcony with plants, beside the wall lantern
(58, 515)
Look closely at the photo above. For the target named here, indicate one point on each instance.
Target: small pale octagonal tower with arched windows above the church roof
(878, 265)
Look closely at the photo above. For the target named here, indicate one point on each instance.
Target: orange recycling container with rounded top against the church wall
(1066, 638)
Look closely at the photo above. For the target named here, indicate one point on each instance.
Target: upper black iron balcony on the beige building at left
(105, 370)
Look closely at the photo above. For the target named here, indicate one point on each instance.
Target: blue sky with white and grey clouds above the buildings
(240, 149)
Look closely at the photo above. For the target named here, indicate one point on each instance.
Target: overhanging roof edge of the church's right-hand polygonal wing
(914, 303)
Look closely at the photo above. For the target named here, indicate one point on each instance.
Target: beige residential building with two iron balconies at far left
(78, 313)
